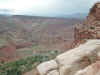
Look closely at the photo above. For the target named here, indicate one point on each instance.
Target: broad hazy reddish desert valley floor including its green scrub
(42, 32)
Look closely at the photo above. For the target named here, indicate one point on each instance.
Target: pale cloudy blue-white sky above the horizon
(45, 7)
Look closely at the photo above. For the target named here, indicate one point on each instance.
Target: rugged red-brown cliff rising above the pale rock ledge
(89, 28)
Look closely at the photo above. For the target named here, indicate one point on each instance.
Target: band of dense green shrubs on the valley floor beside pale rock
(26, 64)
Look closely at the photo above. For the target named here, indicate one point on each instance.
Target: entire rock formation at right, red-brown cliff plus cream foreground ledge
(84, 58)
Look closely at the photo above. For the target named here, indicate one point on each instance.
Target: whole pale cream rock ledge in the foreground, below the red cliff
(74, 61)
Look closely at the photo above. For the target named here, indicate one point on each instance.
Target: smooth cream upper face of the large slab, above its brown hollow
(78, 53)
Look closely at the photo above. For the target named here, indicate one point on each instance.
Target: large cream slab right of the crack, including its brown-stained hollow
(78, 58)
